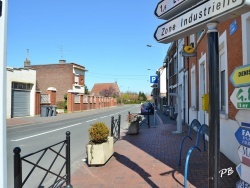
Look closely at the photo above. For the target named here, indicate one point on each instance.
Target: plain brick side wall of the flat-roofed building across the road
(59, 76)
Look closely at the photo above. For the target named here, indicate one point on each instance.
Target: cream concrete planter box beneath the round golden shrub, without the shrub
(99, 154)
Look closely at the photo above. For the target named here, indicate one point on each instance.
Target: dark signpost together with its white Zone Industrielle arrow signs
(198, 17)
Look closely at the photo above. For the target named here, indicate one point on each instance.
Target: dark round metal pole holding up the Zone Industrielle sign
(214, 95)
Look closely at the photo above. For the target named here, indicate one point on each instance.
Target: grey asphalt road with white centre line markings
(46, 131)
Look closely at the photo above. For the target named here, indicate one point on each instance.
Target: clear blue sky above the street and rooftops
(108, 38)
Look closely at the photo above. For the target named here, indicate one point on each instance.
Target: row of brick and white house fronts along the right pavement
(188, 77)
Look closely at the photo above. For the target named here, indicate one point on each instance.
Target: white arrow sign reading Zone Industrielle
(197, 17)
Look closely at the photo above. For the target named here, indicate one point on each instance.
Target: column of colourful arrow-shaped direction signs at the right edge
(241, 100)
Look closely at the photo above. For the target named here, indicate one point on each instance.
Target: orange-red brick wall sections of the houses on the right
(234, 57)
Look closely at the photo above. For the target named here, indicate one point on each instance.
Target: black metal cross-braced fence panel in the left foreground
(60, 178)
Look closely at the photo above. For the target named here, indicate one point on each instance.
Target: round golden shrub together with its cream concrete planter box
(101, 145)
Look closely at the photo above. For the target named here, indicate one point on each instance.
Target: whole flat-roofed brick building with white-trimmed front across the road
(62, 76)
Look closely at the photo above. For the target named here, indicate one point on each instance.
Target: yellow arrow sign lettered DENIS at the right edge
(241, 76)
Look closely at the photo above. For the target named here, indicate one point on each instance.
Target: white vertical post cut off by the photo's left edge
(3, 38)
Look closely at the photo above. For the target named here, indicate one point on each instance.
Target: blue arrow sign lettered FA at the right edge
(243, 136)
